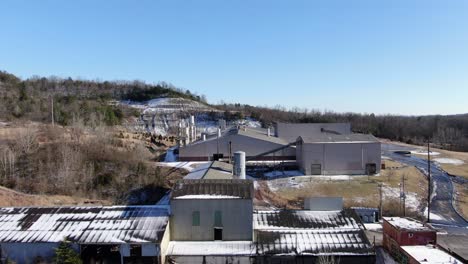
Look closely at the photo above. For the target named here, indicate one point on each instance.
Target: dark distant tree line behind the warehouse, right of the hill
(448, 132)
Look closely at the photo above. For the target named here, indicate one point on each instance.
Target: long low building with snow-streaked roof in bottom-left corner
(112, 234)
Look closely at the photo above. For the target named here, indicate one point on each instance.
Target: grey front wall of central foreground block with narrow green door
(236, 219)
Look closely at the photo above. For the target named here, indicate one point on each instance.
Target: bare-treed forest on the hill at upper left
(75, 100)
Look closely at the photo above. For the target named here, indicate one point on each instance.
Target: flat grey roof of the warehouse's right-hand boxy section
(335, 138)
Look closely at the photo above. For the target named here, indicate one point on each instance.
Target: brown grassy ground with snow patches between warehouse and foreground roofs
(359, 190)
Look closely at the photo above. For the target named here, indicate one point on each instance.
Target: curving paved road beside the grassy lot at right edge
(442, 188)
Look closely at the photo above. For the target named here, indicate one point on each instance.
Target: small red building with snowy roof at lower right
(398, 231)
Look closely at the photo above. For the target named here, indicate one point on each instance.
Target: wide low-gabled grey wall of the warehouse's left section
(251, 146)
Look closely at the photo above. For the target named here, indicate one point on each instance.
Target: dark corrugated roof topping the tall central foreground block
(235, 187)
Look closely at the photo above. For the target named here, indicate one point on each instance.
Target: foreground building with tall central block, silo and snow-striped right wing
(213, 221)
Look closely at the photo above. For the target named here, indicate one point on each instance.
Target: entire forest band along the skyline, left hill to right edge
(89, 103)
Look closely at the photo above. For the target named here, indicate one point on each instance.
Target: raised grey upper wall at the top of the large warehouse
(291, 132)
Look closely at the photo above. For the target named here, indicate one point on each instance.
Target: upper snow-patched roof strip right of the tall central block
(305, 219)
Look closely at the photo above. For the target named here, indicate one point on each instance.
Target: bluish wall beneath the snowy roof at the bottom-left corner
(27, 252)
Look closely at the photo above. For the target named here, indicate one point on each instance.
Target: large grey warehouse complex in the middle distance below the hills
(316, 148)
